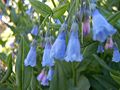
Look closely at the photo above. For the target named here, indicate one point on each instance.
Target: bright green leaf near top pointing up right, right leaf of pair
(60, 10)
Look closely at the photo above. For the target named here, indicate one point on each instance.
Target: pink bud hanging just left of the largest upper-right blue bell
(86, 27)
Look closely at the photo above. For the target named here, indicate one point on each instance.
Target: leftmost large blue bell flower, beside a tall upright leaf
(31, 57)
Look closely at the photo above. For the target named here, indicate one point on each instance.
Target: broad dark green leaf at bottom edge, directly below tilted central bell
(59, 81)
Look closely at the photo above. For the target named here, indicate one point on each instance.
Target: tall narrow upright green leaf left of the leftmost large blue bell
(20, 75)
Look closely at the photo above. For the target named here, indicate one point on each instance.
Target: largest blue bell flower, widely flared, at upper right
(101, 28)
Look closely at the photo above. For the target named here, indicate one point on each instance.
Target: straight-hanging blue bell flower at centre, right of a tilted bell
(73, 52)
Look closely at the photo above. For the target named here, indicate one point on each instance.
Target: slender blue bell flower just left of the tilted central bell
(47, 60)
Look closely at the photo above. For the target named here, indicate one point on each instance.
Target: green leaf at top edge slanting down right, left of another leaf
(41, 8)
